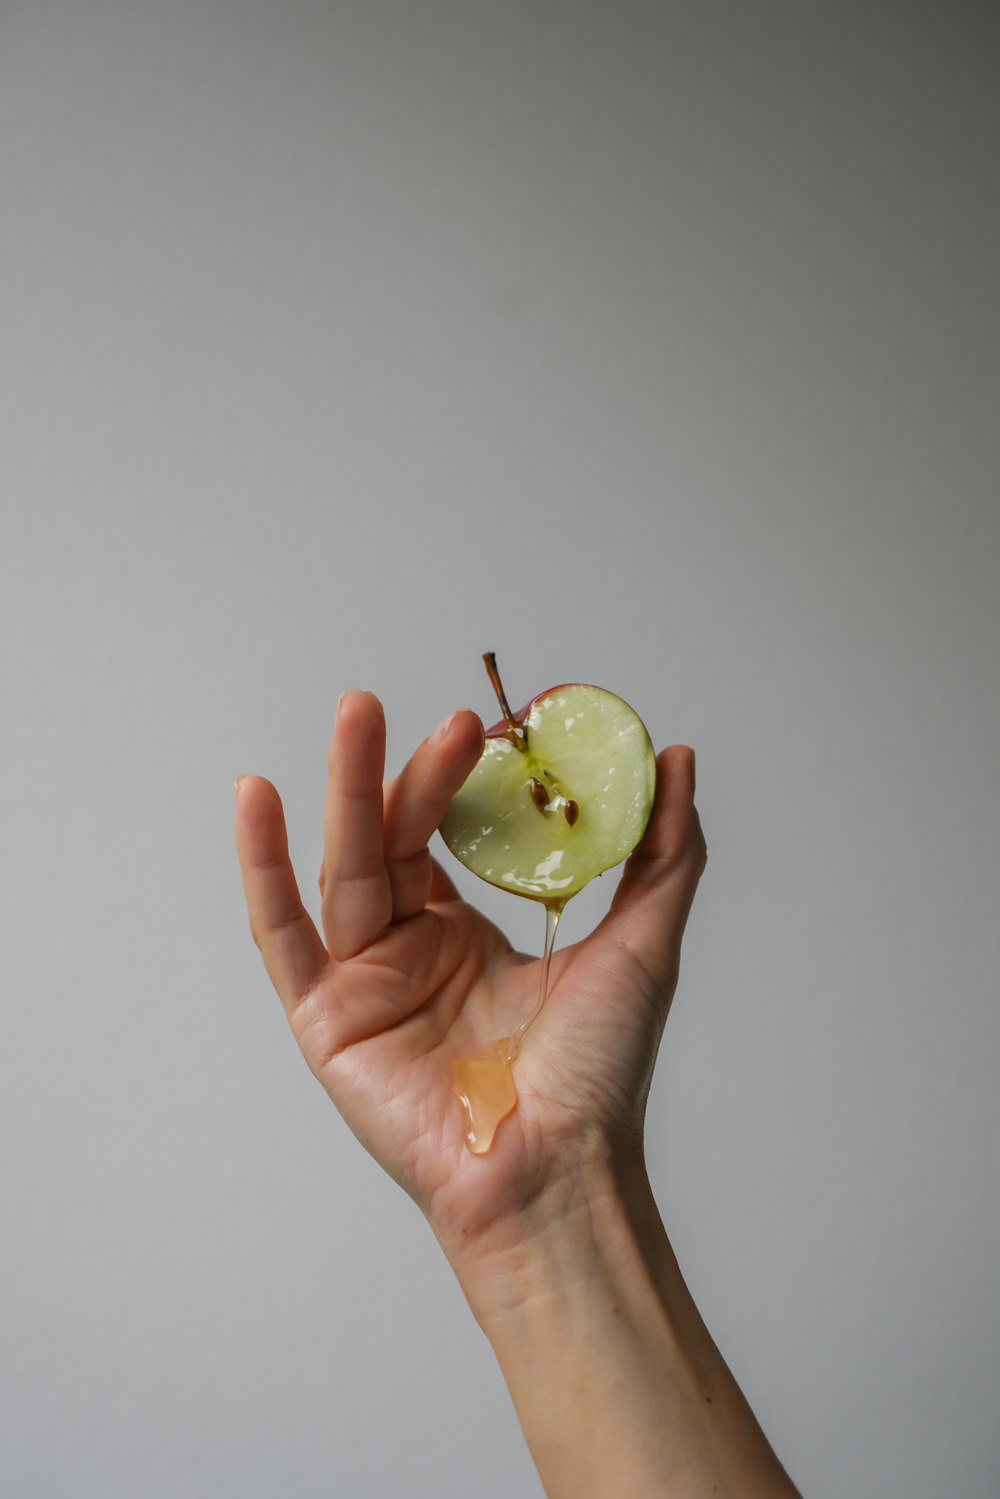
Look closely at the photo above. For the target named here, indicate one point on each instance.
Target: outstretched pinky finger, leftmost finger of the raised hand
(290, 944)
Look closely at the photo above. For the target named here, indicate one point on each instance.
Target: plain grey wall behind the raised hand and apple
(650, 346)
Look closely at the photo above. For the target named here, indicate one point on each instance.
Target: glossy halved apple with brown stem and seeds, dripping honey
(561, 792)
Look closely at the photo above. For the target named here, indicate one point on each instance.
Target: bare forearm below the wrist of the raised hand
(617, 1383)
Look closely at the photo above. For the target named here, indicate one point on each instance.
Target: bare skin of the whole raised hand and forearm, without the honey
(552, 1233)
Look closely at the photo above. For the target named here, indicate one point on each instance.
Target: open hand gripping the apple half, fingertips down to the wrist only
(409, 975)
